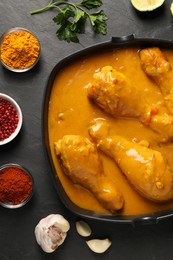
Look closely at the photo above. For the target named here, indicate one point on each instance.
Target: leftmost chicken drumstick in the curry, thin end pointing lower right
(82, 164)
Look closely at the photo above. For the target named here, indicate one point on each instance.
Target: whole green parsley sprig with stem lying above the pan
(72, 17)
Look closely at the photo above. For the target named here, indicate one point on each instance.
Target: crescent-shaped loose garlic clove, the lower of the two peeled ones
(99, 245)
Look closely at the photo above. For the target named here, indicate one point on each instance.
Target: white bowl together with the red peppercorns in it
(10, 119)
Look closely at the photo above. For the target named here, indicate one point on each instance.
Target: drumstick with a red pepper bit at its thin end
(115, 94)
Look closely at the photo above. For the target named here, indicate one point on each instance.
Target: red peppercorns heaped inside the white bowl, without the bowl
(8, 119)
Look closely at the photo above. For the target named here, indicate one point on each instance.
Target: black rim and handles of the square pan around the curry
(115, 42)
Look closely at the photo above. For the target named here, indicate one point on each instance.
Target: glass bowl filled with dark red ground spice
(16, 186)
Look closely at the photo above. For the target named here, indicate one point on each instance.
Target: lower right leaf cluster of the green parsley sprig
(98, 21)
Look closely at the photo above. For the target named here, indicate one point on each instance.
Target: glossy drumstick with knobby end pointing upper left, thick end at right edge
(144, 168)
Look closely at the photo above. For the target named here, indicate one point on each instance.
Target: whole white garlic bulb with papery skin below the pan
(51, 232)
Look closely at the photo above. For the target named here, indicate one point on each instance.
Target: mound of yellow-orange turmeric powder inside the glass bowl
(19, 50)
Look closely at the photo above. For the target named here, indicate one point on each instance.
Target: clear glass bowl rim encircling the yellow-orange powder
(13, 30)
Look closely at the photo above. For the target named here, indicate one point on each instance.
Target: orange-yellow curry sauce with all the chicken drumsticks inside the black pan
(110, 126)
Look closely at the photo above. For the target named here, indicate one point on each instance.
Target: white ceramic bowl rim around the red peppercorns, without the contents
(20, 118)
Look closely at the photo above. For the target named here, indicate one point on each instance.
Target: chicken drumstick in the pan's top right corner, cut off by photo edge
(158, 68)
